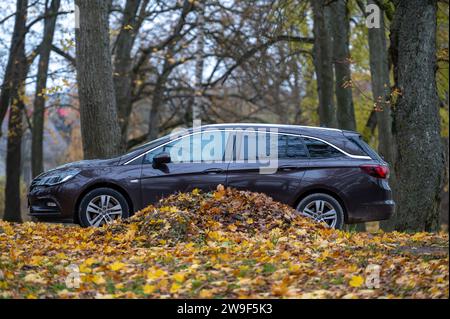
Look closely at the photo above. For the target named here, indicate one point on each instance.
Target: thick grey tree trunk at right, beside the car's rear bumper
(419, 155)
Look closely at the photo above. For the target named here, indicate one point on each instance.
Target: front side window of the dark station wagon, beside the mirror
(195, 148)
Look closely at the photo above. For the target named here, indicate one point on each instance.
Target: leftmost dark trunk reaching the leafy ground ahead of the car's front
(14, 143)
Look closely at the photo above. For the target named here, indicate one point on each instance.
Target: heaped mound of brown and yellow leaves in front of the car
(196, 216)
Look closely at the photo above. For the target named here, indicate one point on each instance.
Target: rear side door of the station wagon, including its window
(288, 157)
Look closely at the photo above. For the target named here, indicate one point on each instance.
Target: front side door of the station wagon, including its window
(197, 161)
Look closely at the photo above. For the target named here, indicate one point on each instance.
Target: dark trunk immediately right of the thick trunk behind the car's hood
(131, 22)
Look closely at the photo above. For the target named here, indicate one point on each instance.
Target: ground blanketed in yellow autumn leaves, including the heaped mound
(221, 244)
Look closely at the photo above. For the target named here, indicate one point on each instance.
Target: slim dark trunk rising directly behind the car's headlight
(37, 162)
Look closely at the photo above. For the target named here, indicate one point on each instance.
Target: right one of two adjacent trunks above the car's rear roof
(340, 27)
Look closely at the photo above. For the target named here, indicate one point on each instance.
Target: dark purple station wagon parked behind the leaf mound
(327, 174)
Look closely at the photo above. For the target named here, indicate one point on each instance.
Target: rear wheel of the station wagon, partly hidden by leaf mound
(324, 208)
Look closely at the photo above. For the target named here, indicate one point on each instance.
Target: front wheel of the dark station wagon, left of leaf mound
(101, 206)
